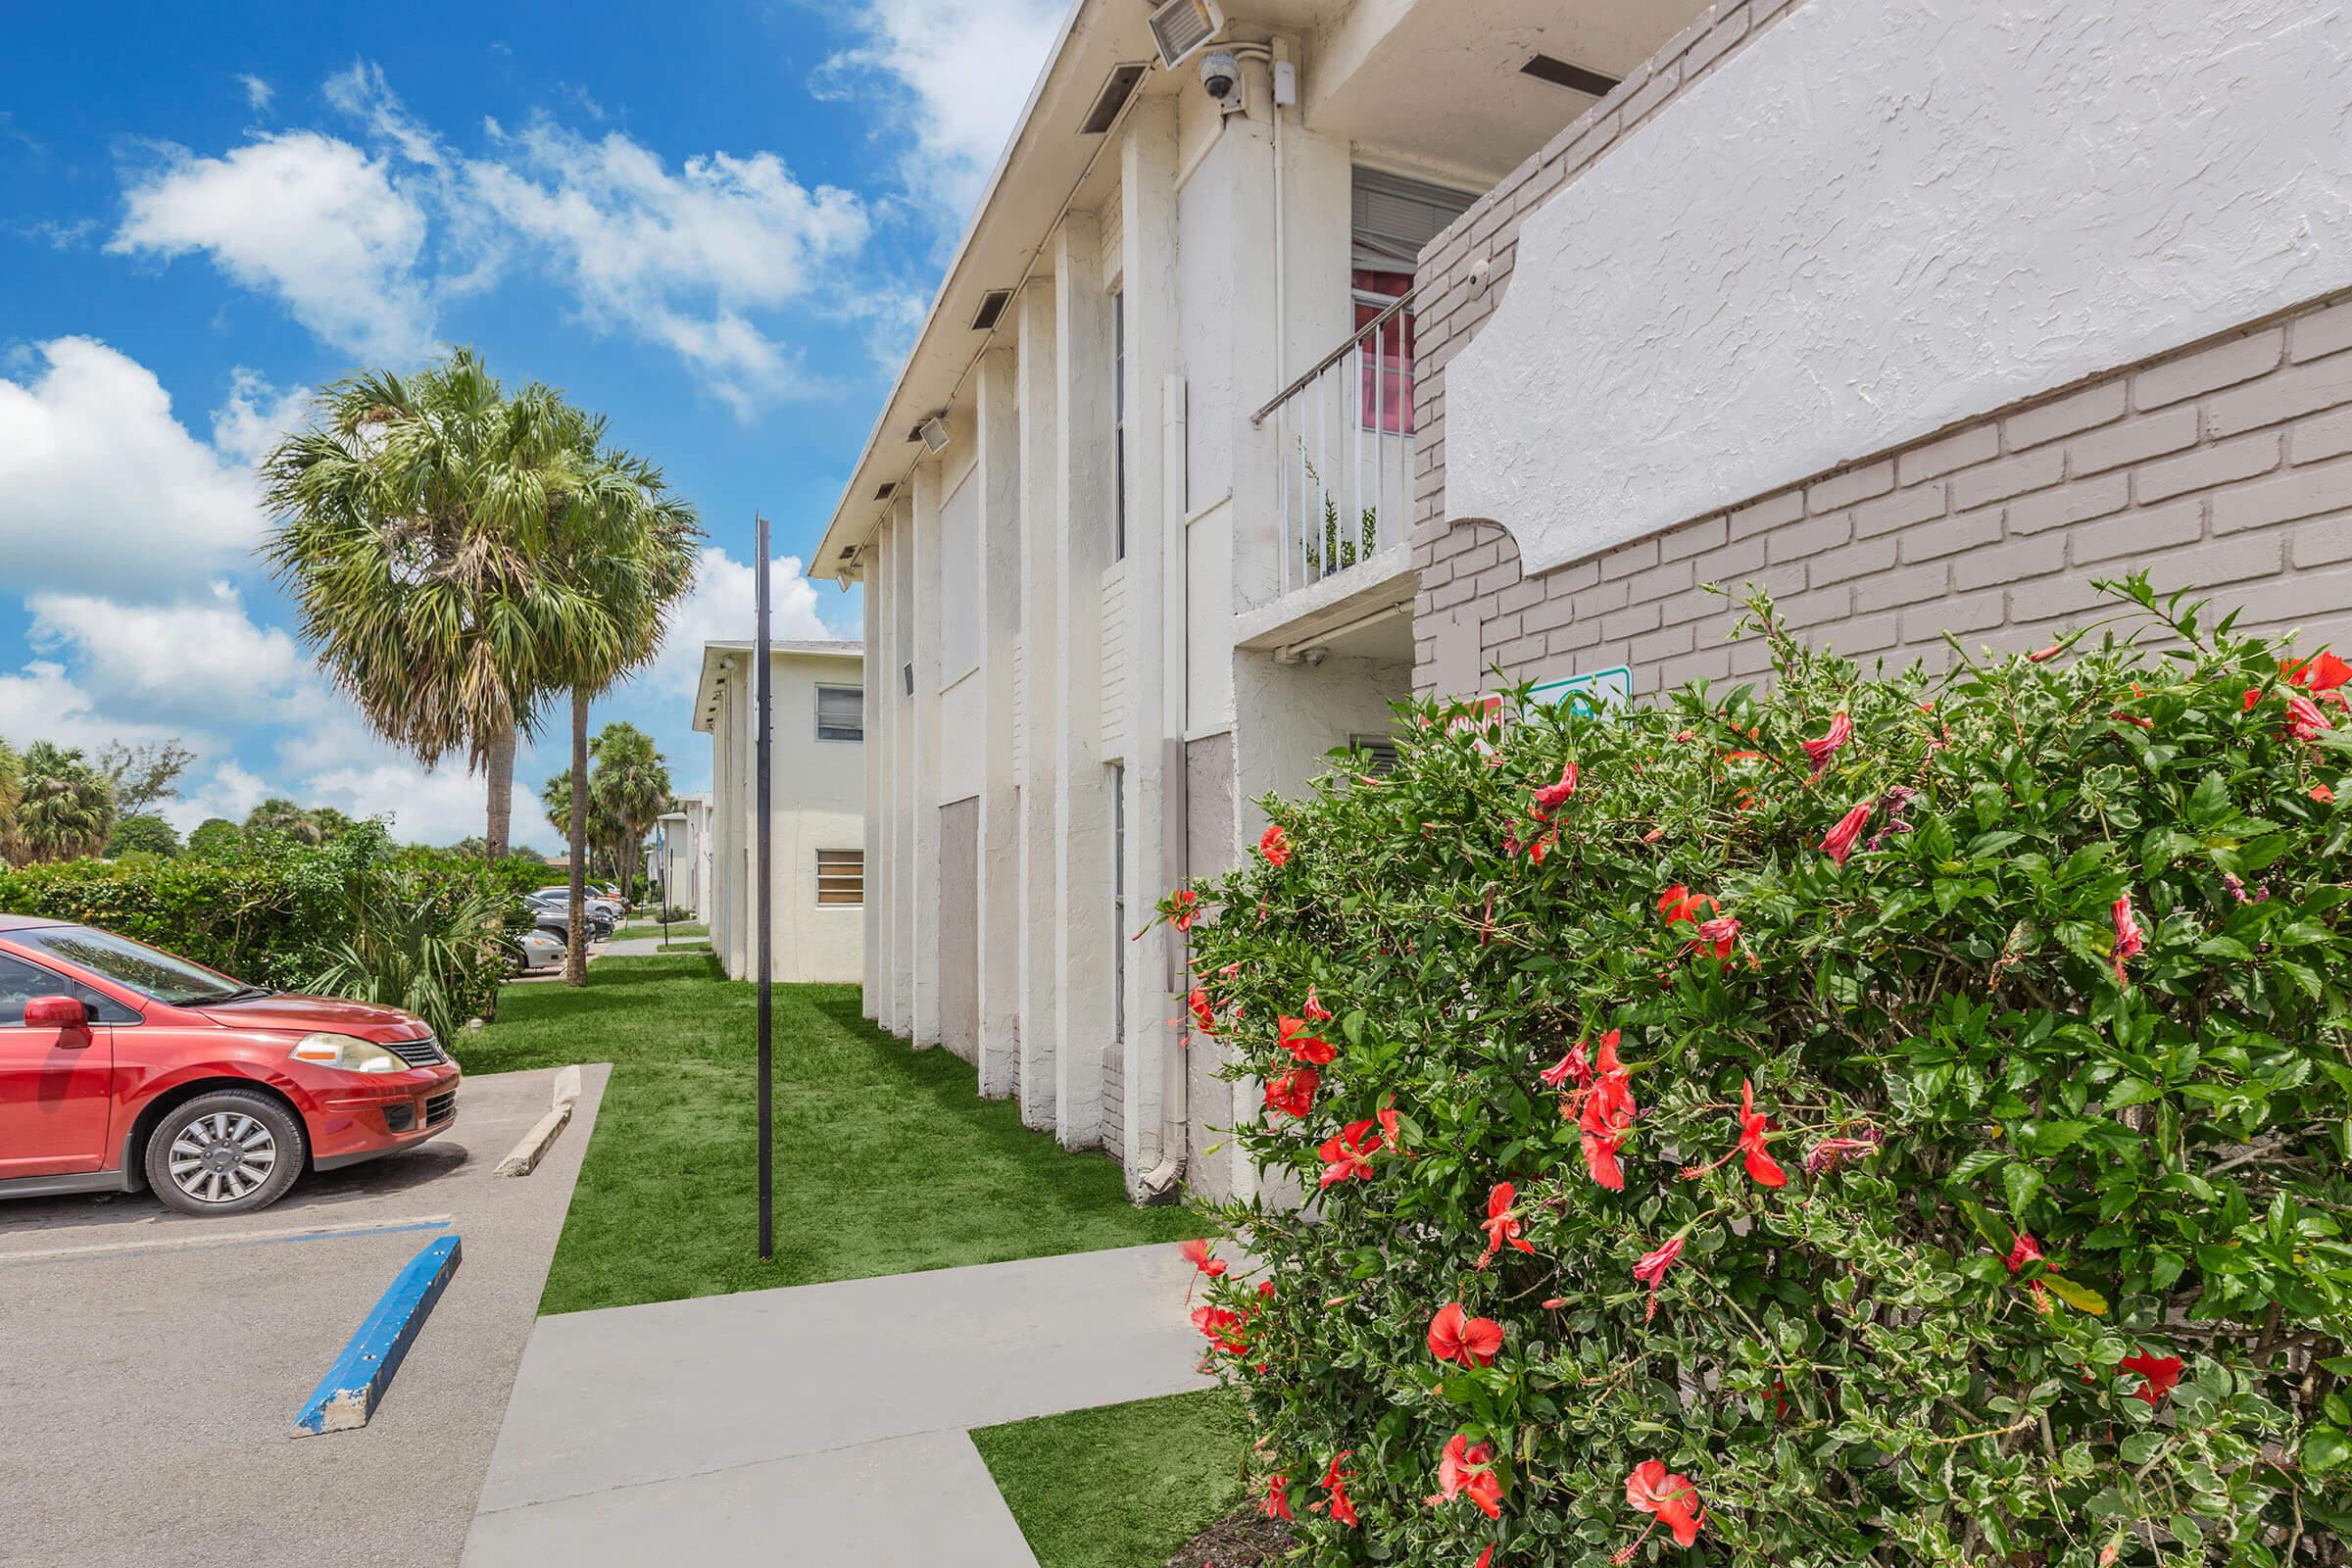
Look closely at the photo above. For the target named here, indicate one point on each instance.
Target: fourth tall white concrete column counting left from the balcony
(1001, 808)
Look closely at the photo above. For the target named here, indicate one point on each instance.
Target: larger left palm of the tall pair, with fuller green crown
(417, 521)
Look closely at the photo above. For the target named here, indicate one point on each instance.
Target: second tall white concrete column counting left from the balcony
(1083, 476)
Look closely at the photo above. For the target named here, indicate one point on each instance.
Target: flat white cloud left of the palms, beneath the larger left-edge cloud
(194, 657)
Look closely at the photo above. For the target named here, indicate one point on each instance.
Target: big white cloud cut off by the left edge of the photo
(100, 485)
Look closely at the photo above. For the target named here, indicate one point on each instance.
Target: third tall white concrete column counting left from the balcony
(1041, 657)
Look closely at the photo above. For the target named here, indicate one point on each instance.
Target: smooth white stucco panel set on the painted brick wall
(1890, 215)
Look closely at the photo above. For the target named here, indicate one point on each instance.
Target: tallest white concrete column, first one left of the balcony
(1154, 579)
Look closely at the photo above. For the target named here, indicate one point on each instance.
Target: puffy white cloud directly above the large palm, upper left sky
(305, 217)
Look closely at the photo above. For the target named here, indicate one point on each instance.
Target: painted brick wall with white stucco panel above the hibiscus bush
(1920, 316)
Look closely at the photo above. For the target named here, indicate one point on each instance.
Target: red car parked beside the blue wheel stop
(128, 1068)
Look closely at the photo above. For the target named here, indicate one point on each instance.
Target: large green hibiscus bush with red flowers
(1876, 1118)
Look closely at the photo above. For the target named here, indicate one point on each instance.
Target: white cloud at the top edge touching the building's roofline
(963, 69)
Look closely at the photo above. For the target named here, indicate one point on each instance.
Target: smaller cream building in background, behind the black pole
(817, 808)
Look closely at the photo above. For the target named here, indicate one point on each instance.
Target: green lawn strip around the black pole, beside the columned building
(886, 1158)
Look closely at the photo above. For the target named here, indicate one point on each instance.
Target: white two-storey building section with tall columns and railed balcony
(1132, 525)
